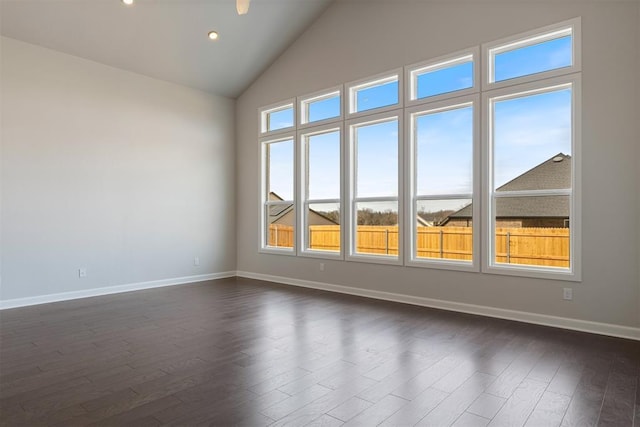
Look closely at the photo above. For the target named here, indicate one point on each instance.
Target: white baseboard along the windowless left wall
(65, 296)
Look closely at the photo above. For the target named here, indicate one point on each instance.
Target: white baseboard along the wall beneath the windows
(520, 316)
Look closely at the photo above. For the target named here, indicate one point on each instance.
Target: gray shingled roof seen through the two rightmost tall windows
(552, 174)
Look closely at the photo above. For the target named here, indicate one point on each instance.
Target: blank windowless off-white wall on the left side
(119, 173)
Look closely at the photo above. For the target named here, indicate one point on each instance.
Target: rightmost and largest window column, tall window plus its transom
(532, 208)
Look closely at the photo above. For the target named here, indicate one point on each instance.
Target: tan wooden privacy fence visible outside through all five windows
(530, 246)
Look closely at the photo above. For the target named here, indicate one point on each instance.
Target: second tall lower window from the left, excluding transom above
(321, 178)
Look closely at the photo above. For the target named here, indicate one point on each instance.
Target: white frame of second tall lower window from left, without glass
(303, 191)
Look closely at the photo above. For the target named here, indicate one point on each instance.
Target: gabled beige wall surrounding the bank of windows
(355, 39)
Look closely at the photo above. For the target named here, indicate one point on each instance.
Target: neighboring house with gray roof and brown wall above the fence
(543, 211)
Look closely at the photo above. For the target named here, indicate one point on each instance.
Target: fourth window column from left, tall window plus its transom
(443, 174)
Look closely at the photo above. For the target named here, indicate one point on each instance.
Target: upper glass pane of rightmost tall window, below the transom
(532, 142)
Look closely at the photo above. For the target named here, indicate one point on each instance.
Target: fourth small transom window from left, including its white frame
(443, 77)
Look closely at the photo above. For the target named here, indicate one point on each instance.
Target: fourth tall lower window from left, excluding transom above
(442, 153)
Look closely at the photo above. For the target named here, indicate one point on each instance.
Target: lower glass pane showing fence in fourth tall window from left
(444, 230)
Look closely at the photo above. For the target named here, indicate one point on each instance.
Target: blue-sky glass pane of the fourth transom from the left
(444, 80)
